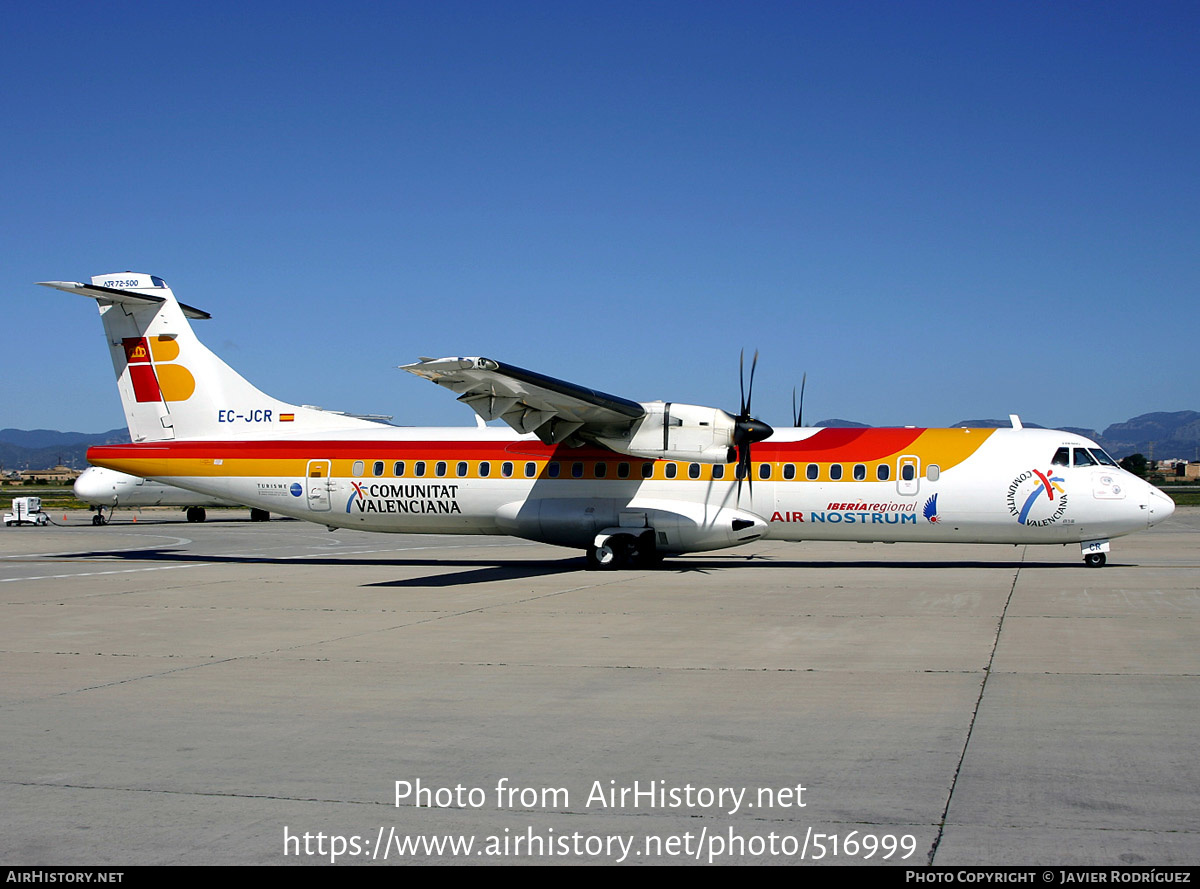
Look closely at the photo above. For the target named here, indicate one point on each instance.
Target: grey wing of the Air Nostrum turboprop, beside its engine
(555, 411)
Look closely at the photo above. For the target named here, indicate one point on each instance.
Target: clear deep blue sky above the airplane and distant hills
(940, 212)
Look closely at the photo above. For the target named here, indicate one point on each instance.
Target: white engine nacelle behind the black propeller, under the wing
(685, 433)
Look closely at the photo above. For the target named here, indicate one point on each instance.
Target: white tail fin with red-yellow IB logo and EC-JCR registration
(172, 387)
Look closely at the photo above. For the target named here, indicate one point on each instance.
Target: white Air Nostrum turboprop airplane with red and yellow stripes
(629, 483)
